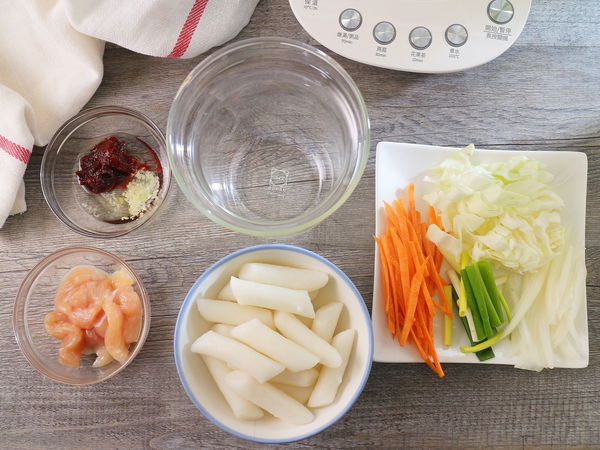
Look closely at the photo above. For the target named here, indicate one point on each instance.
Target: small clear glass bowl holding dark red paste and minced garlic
(77, 208)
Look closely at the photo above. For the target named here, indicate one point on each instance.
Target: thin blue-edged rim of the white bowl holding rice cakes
(188, 302)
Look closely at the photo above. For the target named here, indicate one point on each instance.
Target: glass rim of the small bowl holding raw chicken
(19, 306)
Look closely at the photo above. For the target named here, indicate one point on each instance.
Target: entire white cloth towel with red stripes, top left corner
(51, 61)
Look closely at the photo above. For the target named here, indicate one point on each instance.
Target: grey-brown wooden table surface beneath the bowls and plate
(542, 94)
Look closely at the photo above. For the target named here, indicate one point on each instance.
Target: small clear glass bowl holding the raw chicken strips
(35, 299)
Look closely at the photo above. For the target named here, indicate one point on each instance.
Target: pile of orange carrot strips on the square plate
(410, 266)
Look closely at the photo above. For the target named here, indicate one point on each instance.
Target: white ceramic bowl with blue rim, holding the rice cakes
(198, 383)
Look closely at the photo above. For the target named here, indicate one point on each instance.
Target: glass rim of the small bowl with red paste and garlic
(86, 116)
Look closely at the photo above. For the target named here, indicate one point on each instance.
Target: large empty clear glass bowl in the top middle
(268, 136)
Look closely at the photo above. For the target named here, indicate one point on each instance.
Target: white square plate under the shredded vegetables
(400, 164)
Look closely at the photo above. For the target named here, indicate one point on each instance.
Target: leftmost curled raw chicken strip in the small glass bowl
(71, 337)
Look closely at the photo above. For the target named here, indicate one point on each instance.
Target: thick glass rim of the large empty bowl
(203, 203)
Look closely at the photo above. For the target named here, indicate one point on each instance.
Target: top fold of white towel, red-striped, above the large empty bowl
(172, 28)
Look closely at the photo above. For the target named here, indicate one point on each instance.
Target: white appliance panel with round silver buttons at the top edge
(429, 36)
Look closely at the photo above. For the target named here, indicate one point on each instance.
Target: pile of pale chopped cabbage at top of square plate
(503, 211)
